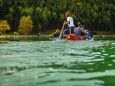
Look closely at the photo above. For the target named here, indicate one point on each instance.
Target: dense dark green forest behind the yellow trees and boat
(98, 15)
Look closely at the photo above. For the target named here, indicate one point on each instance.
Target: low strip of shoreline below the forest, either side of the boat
(46, 37)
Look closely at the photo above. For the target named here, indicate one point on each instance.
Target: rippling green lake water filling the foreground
(57, 63)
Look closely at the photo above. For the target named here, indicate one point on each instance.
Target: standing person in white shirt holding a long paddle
(70, 24)
